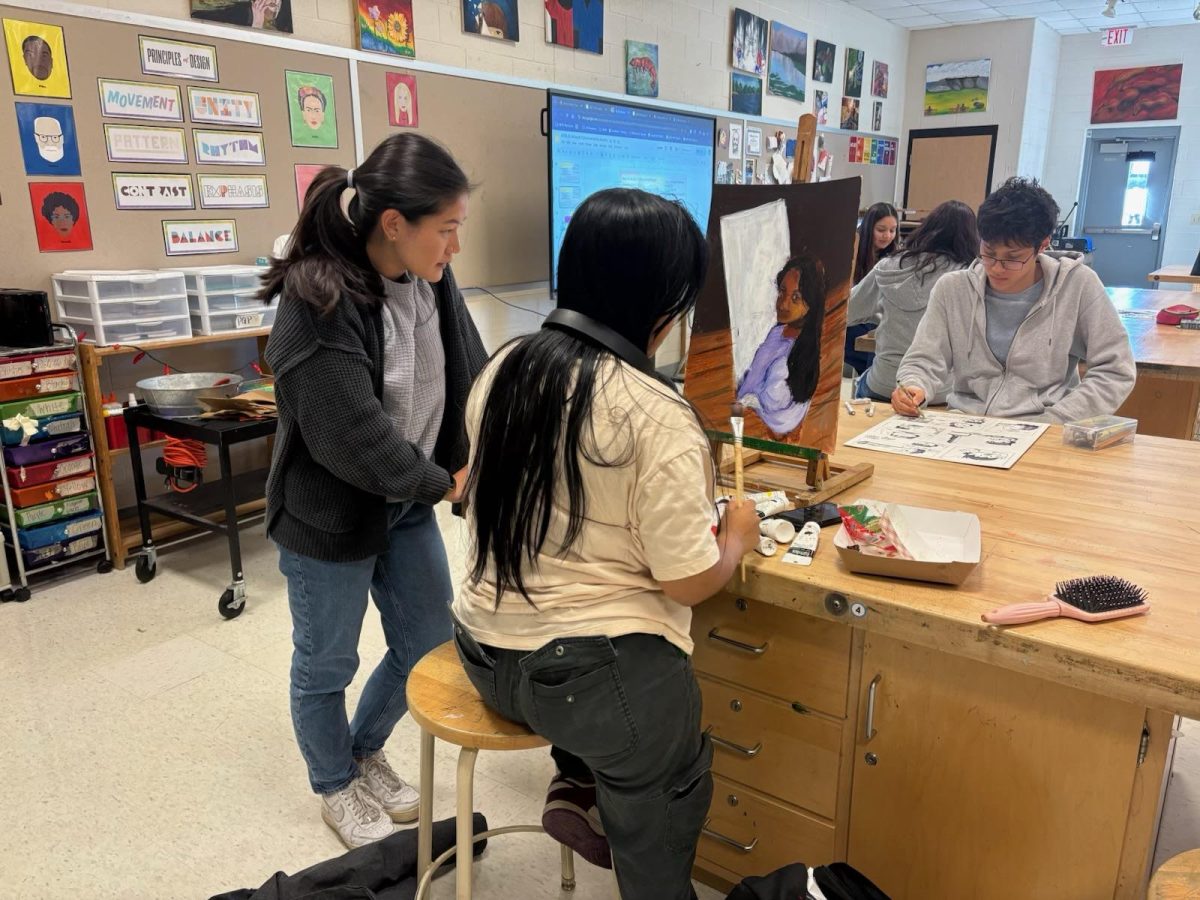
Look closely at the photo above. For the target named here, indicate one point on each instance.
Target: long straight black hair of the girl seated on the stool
(632, 261)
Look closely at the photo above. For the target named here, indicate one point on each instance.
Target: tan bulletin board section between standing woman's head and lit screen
(495, 133)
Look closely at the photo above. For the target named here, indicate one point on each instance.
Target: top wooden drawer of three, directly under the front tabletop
(782, 653)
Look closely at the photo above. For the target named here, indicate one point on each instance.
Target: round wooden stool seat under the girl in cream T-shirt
(445, 703)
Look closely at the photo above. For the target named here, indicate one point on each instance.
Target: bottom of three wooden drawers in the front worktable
(752, 835)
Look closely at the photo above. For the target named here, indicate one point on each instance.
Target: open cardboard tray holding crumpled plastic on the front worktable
(955, 539)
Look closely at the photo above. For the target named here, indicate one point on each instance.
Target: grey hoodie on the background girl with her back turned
(895, 296)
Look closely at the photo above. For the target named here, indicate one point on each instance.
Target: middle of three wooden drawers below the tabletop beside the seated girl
(769, 746)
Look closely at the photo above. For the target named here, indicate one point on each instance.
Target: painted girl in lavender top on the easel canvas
(784, 373)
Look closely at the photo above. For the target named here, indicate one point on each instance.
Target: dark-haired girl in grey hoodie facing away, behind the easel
(895, 295)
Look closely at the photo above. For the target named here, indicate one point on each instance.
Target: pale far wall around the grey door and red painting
(1082, 57)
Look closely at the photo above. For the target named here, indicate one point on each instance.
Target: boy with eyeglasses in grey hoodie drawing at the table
(1007, 335)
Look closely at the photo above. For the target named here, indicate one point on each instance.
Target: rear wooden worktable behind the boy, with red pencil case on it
(1168, 393)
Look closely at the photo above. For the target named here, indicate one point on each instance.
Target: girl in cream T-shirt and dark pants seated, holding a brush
(591, 503)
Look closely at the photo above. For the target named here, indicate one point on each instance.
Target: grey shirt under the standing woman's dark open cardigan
(413, 362)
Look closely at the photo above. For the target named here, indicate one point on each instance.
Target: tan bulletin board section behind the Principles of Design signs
(130, 239)
